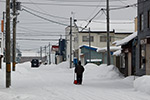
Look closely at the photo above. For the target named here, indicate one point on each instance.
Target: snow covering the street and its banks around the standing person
(55, 82)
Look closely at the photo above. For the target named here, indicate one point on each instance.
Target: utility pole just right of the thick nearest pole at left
(14, 35)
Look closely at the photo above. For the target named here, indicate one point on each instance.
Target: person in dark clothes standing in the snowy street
(79, 71)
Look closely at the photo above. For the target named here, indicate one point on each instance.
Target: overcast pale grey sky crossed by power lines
(31, 27)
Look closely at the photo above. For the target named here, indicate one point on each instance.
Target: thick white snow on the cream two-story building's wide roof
(117, 25)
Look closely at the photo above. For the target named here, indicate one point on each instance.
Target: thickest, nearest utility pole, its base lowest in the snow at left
(8, 64)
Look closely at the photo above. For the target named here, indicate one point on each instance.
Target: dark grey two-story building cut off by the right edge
(143, 54)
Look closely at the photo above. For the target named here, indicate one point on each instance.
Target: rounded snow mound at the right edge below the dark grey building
(142, 84)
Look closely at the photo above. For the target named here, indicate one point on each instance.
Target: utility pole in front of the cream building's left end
(70, 42)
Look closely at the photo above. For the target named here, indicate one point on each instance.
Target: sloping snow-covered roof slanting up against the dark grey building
(125, 40)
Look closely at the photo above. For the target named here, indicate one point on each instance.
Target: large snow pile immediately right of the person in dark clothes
(103, 71)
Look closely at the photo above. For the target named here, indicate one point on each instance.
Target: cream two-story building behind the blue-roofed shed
(98, 38)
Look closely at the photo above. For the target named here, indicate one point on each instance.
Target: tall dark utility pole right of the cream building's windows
(108, 40)
